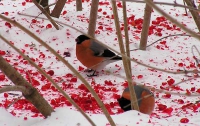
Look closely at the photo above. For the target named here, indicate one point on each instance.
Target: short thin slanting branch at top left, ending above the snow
(46, 14)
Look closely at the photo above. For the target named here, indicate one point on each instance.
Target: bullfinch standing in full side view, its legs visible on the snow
(93, 55)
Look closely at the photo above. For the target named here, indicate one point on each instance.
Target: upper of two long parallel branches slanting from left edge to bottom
(65, 62)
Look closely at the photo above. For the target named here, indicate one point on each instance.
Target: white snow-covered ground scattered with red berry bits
(172, 56)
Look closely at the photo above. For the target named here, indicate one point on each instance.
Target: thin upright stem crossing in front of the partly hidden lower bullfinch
(134, 105)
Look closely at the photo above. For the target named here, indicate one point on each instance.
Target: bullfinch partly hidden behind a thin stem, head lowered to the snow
(146, 104)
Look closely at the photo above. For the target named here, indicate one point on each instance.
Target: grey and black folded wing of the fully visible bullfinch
(100, 50)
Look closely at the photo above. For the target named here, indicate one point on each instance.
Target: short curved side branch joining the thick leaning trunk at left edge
(23, 89)
